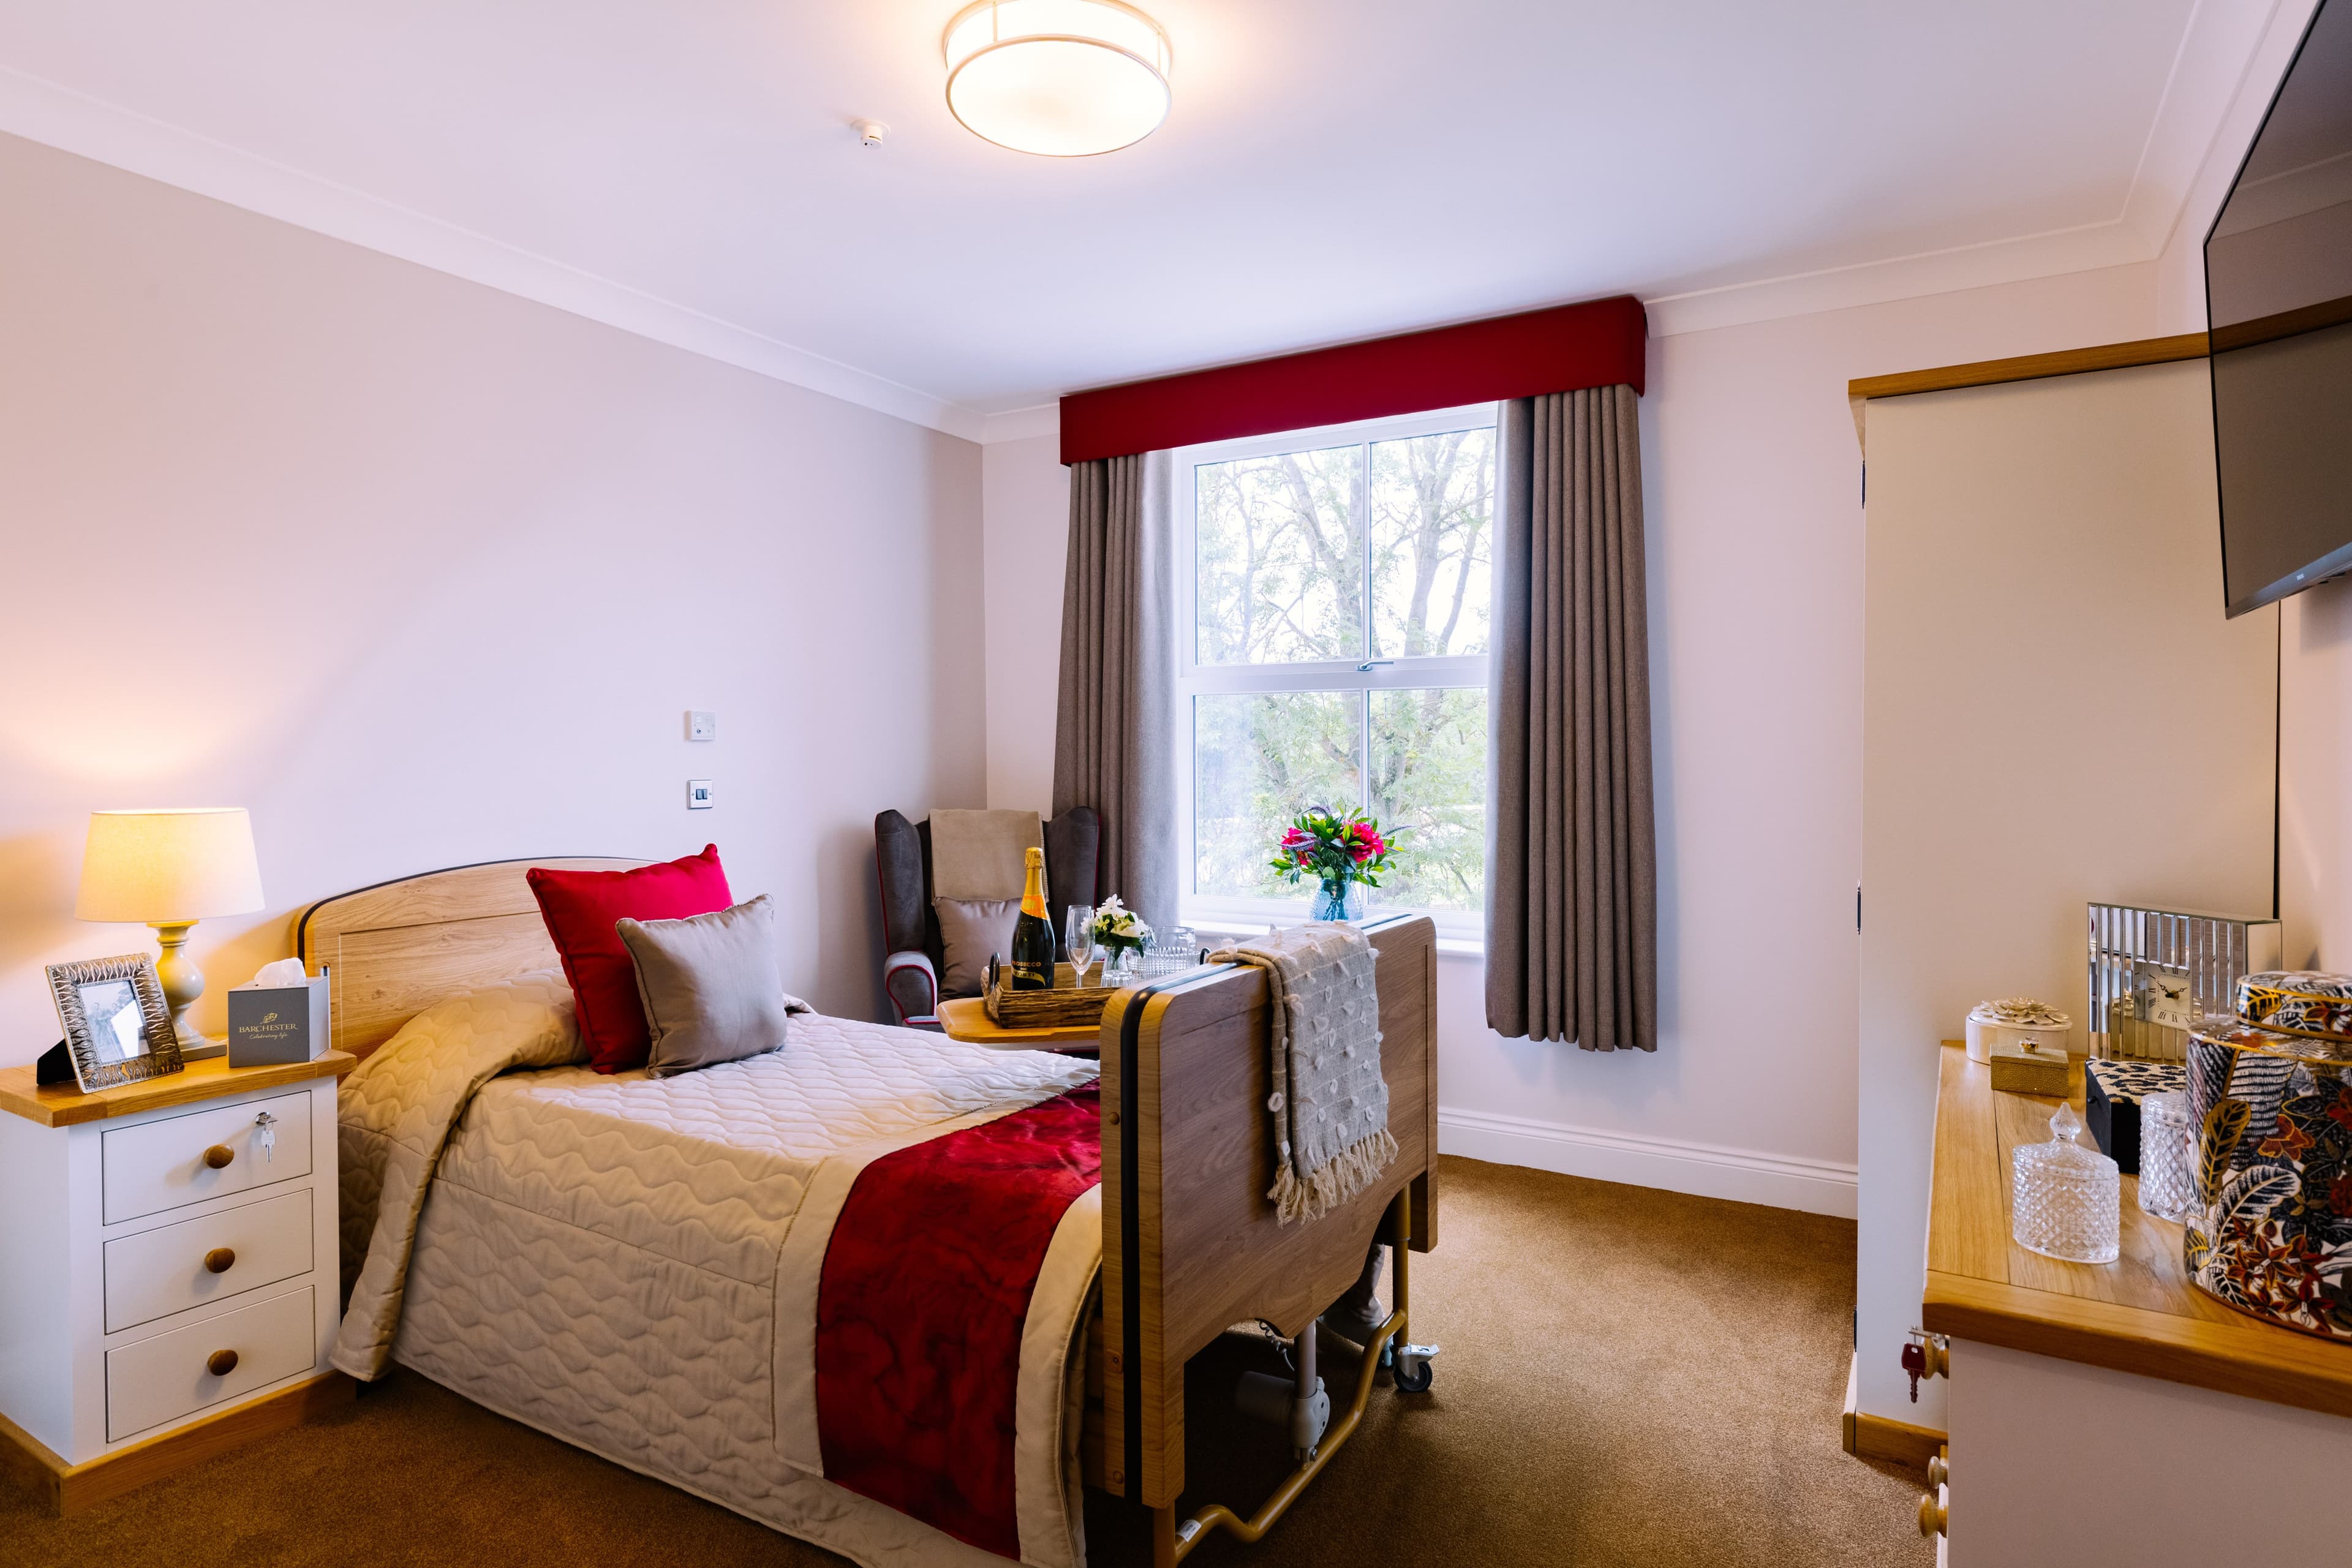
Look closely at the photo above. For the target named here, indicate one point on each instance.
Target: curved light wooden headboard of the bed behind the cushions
(401, 946)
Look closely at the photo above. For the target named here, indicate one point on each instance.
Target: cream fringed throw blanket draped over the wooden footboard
(1330, 1101)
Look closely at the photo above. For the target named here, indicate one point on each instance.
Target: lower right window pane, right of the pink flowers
(1429, 772)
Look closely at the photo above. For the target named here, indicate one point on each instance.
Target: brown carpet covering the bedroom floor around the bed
(1631, 1379)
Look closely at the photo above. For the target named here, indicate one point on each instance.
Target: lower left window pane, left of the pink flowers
(1257, 763)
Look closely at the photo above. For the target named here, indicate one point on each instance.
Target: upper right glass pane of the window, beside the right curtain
(1431, 504)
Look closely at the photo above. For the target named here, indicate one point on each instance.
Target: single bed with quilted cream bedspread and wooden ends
(639, 1264)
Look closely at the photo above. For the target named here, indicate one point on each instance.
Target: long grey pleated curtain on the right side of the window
(1572, 871)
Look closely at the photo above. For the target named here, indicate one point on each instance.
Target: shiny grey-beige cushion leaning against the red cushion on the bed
(709, 984)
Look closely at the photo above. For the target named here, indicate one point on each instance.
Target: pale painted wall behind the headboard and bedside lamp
(425, 575)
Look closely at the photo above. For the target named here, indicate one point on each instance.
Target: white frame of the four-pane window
(1194, 678)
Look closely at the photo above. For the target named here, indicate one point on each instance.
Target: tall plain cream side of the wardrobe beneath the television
(2057, 711)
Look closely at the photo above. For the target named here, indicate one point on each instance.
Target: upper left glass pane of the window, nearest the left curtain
(1281, 558)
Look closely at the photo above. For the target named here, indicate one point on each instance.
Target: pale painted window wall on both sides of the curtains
(1756, 558)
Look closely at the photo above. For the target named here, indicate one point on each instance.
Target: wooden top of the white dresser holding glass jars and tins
(2134, 1315)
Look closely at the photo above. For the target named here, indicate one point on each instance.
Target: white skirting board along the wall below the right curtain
(1699, 1170)
